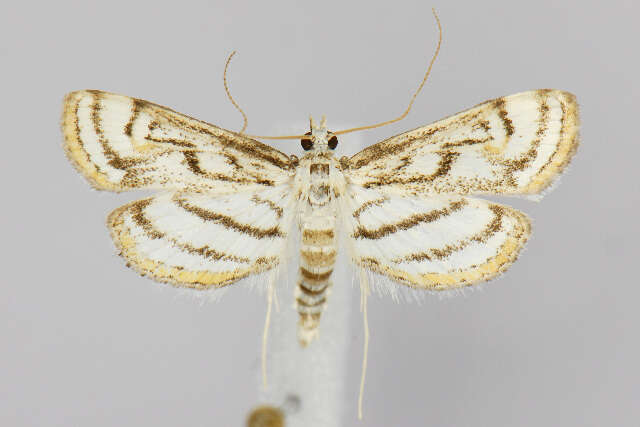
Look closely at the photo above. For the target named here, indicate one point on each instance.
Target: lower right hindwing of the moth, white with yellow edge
(440, 242)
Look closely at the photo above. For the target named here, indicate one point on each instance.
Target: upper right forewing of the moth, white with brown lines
(512, 145)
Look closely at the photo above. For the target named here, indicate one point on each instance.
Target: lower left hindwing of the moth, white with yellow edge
(194, 240)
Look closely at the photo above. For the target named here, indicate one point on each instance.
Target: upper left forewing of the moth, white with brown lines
(120, 143)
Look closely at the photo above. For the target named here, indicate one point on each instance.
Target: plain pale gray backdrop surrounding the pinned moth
(85, 341)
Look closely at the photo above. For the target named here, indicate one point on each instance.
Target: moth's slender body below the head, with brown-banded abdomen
(317, 252)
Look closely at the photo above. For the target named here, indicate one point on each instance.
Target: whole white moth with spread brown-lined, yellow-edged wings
(406, 207)
